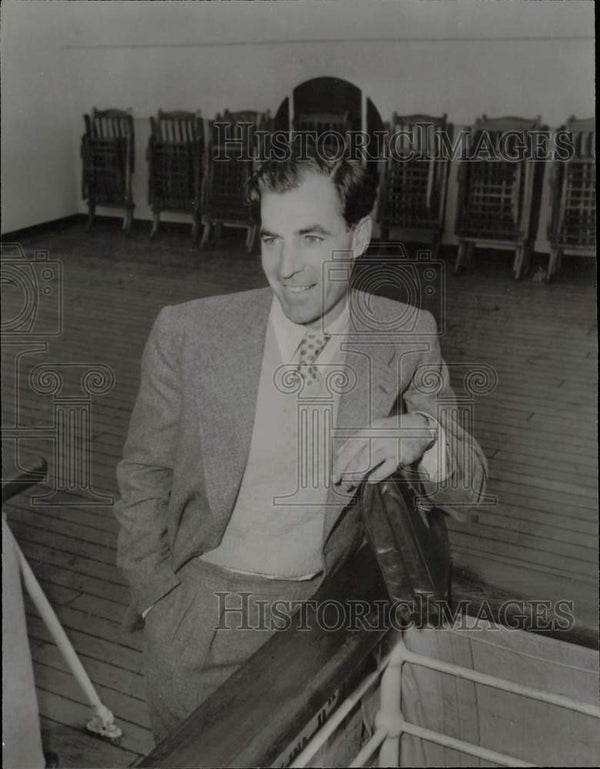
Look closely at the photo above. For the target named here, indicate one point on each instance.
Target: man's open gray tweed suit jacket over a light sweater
(191, 427)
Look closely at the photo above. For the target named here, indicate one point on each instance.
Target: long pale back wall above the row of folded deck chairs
(463, 58)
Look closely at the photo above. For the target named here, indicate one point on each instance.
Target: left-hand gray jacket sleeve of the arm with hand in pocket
(145, 473)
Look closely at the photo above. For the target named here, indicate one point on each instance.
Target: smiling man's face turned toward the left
(301, 230)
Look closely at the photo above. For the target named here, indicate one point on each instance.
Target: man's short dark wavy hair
(355, 183)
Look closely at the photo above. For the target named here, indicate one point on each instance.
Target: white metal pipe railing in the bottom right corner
(390, 723)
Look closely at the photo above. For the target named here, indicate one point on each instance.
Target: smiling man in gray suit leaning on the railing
(257, 416)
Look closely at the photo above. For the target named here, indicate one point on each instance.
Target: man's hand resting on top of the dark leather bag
(379, 450)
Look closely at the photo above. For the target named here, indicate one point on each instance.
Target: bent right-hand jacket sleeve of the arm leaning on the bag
(429, 392)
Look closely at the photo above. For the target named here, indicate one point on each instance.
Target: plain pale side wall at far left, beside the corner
(38, 180)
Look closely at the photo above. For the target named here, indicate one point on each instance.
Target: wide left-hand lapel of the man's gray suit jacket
(226, 398)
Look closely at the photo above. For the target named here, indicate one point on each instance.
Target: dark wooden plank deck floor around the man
(538, 429)
